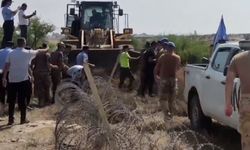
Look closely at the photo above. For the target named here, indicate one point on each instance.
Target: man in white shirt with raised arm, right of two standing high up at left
(24, 20)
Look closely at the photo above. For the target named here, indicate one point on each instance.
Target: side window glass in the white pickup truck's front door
(221, 58)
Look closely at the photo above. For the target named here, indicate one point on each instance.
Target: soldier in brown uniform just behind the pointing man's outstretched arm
(40, 66)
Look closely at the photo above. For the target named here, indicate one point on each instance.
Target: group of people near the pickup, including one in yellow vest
(159, 66)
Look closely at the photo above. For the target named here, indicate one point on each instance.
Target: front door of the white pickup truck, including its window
(214, 84)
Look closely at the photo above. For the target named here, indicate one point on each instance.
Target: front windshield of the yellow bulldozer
(97, 17)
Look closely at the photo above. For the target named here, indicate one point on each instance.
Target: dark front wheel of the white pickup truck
(197, 118)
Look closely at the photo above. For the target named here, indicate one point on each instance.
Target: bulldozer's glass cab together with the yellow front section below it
(91, 23)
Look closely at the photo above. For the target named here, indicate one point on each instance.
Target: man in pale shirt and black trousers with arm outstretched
(17, 64)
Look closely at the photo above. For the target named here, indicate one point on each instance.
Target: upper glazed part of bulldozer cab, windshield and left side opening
(91, 14)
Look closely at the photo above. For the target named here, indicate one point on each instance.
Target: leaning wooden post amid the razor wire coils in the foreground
(99, 104)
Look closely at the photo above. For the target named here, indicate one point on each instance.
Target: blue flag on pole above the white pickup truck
(221, 35)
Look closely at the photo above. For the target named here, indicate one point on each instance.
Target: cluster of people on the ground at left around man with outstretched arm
(22, 69)
